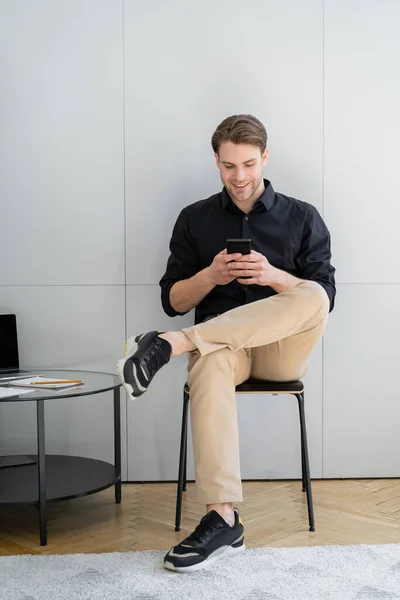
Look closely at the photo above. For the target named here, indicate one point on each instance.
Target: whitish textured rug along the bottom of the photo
(320, 573)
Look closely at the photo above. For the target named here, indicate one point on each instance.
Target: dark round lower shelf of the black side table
(67, 477)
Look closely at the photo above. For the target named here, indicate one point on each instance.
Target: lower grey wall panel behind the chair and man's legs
(269, 425)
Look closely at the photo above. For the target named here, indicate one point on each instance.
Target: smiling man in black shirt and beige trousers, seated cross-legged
(257, 315)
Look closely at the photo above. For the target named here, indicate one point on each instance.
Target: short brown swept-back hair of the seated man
(240, 129)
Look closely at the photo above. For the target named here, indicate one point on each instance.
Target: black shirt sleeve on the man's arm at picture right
(314, 259)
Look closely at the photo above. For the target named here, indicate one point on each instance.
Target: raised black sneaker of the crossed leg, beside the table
(144, 356)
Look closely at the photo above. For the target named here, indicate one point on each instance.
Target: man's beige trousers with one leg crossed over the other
(268, 339)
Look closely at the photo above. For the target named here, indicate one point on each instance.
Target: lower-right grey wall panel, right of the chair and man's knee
(361, 395)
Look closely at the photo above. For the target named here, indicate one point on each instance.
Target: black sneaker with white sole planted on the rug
(212, 539)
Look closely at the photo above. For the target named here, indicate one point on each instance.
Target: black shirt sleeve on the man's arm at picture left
(182, 262)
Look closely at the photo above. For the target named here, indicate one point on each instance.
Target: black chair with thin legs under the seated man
(251, 386)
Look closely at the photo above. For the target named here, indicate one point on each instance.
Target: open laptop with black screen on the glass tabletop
(9, 357)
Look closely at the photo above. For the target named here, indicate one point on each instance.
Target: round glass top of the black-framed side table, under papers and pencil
(94, 383)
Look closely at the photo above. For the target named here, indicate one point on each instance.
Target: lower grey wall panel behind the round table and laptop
(90, 336)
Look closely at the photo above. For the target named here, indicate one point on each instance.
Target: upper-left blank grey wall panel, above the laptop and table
(61, 142)
